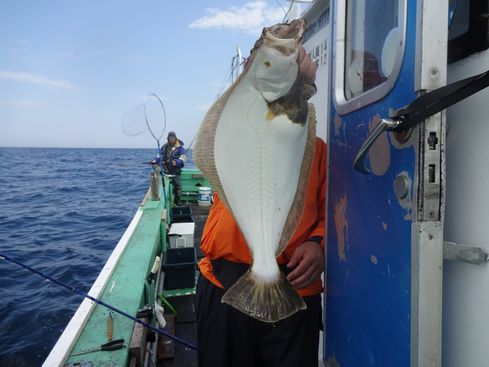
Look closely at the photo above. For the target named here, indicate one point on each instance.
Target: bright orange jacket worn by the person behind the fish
(222, 237)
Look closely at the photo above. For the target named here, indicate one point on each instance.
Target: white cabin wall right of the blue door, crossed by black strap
(466, 286)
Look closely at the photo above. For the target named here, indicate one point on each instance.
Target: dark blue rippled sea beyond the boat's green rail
(62, 211)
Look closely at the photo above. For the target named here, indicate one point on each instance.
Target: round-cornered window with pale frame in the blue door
(369, 50)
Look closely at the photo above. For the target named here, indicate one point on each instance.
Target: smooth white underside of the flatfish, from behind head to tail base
(258, 162)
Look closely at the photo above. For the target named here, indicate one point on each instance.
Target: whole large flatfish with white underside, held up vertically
(255, 146)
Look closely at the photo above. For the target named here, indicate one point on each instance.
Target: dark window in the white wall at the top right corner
(468, 32)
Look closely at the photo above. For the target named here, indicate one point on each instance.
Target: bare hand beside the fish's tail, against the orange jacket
(308, 260)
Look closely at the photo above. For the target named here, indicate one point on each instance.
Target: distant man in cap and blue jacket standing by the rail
(173, 155)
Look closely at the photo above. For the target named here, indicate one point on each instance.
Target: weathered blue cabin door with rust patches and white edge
(385, 234)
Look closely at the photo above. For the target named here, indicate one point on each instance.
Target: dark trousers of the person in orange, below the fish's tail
(228, 338)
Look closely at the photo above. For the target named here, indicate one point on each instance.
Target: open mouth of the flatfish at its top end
(284, 37)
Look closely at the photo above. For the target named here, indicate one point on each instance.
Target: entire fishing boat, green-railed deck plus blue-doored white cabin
(407, 236)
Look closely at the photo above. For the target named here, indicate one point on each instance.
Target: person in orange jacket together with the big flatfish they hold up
(258, 299)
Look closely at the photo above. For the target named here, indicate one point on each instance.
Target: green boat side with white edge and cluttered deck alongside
(153, 263)
